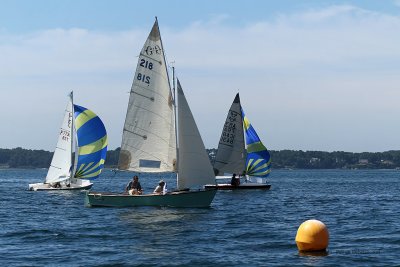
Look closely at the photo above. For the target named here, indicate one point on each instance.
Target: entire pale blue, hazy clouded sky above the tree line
(312, 75)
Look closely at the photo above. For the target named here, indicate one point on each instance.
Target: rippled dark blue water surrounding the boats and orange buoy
(253, 228)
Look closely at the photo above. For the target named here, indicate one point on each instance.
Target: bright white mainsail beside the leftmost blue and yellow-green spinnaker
(60, 167)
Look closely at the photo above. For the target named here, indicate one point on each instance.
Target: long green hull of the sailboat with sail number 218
(180, 199)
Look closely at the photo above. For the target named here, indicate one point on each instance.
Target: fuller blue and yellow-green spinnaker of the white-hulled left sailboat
(92, 143)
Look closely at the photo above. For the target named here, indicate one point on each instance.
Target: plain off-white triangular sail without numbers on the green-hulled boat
(194, 168)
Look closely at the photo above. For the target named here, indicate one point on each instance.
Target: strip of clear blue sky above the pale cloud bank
(18, 16)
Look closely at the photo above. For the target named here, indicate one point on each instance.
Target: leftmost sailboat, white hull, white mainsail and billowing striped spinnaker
(80, 152)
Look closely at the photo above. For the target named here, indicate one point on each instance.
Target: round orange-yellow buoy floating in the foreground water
(312, 235)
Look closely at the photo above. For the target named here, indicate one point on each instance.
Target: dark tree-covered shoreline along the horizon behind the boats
(283, 159)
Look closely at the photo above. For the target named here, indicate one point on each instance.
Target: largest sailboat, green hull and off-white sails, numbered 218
(150, 138)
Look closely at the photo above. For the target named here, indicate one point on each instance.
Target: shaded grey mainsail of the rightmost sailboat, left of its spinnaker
(231, 154)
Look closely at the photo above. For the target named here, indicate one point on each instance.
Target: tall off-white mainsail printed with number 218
(148, 140)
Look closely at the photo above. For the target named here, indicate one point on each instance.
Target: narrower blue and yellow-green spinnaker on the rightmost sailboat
(258, 161)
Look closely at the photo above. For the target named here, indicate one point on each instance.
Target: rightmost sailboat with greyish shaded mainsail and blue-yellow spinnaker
(252, 162)
